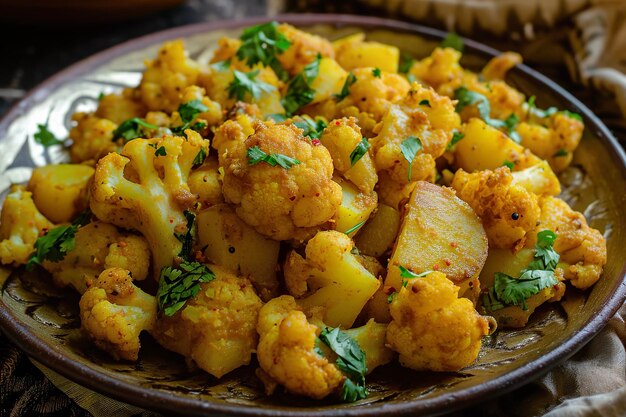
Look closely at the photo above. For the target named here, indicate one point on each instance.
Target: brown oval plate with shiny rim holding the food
(43, 320)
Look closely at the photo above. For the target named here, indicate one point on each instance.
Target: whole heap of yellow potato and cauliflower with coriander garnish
(328, 207)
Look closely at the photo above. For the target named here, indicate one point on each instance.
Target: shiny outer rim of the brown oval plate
(20, 152)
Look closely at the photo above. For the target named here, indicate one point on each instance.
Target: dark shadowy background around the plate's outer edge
(36, 47)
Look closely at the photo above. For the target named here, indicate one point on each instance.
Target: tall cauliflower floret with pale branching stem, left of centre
(147, 192)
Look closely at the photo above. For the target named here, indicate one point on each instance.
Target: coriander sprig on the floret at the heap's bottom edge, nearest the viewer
(350, 361)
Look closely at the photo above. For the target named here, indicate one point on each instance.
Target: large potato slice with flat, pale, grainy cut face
(439, 232)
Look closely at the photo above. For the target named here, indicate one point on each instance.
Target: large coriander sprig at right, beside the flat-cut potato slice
(510, 291)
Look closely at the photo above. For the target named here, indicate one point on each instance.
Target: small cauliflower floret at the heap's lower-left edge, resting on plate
(113, 312)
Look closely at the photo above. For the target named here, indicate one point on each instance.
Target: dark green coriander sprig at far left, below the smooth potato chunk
(57, 242)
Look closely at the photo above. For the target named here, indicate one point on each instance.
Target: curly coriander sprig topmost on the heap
(262, 44)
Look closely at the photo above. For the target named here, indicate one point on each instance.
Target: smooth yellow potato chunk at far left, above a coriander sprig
(59, 191)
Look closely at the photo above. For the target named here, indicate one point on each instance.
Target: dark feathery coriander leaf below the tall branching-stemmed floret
(179, 284)
